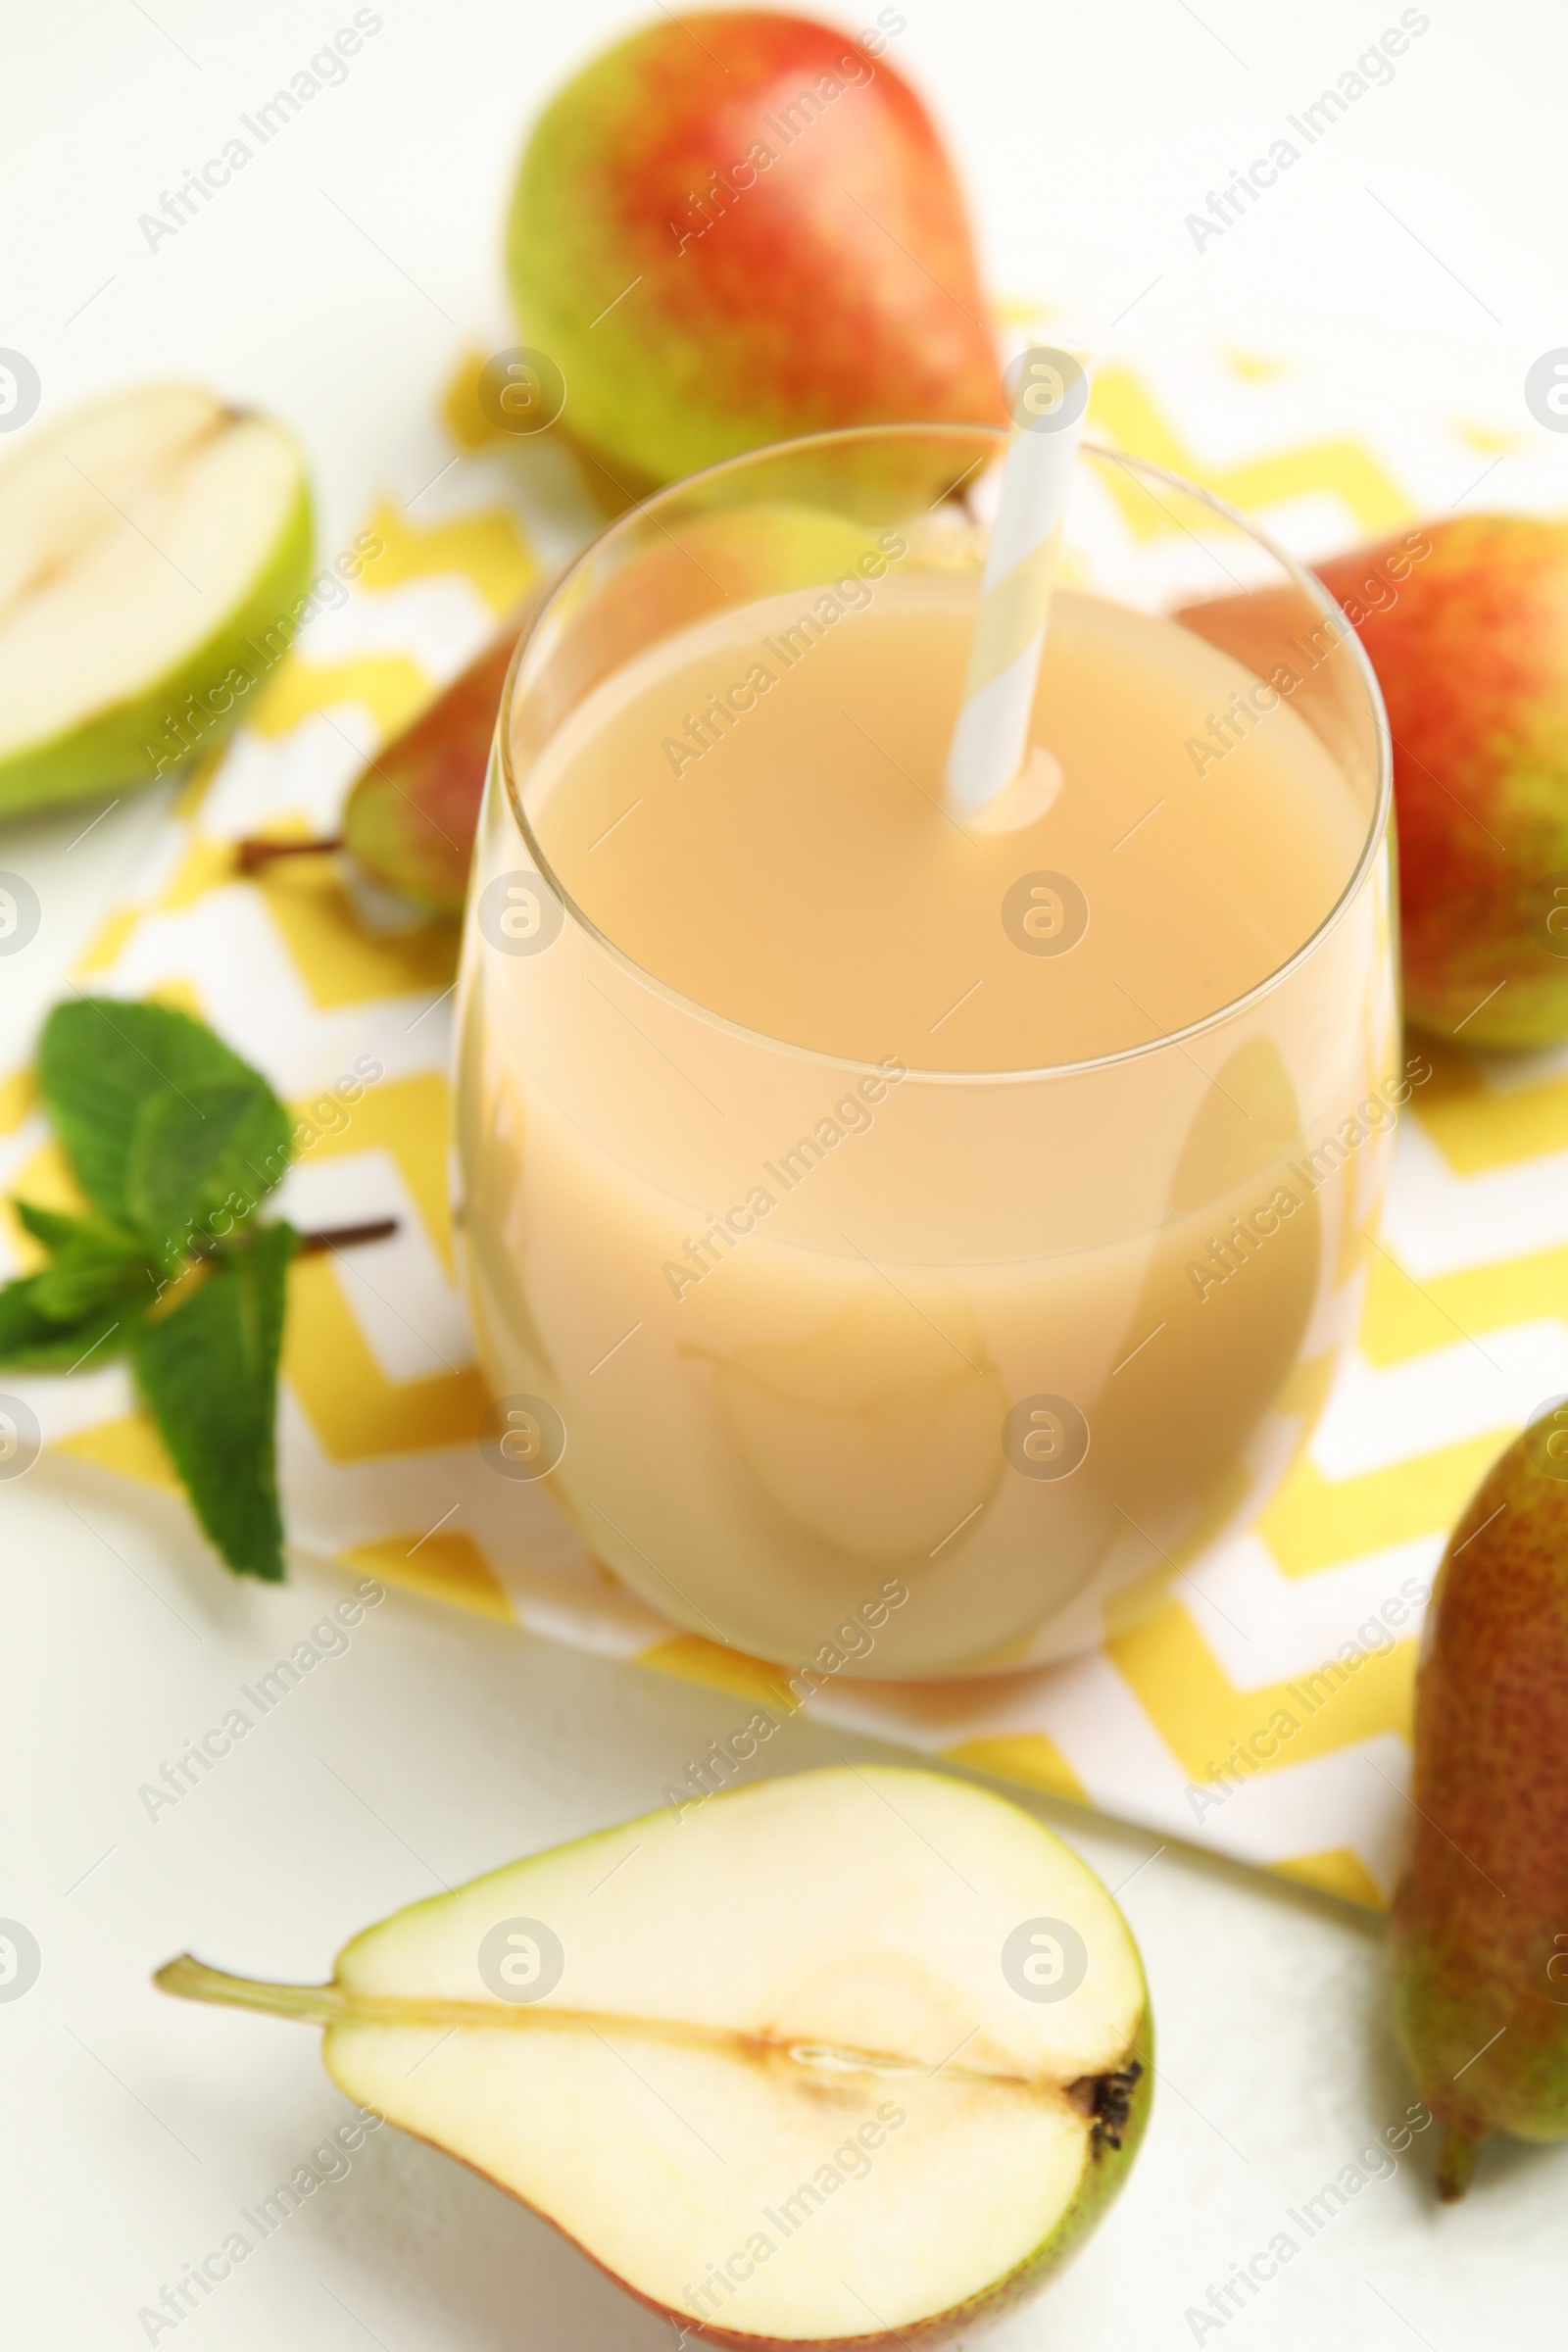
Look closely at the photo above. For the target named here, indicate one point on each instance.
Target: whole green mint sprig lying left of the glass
(175, 1144)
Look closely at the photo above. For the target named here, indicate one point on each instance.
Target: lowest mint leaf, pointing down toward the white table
(208, 1372)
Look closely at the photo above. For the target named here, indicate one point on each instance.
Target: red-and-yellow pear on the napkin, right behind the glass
(1470, 646)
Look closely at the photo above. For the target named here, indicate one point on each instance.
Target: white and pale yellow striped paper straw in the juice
(1047, 394)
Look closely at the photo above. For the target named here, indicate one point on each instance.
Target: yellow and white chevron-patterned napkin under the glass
(1266, 1711)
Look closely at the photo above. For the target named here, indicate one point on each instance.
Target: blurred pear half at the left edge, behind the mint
(152, 547)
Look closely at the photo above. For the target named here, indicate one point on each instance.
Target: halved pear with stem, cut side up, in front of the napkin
(838, 2059)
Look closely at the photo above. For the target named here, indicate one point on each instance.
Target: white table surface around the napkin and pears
(441, 1746)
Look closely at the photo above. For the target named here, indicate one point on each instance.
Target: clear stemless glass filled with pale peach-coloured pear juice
(906, 1241)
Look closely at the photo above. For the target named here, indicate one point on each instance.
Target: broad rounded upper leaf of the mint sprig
(130, 1088)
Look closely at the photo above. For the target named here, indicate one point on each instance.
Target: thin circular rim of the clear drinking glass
(847, 436)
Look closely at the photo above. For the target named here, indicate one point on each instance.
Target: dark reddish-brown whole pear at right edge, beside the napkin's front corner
(1480, 1925)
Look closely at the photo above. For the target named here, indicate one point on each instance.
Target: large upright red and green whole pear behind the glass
(739, 229)
